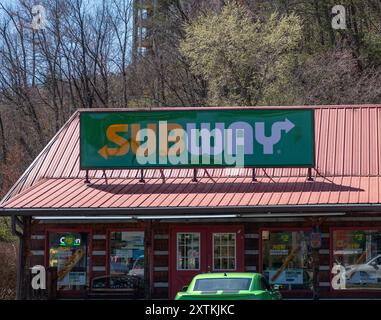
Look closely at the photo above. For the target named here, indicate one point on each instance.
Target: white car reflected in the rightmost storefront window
(369, 271)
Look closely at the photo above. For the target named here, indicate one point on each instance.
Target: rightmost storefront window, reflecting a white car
(359, 252)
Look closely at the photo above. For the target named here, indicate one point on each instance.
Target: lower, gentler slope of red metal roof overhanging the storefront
(182, 192)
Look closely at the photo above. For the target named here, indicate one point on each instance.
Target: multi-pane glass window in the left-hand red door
(188, 251)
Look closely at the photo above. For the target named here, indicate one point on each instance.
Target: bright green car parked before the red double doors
(229, 286)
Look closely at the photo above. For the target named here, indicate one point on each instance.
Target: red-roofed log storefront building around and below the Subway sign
(144, 233)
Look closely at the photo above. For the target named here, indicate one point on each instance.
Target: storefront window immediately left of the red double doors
(127, 253)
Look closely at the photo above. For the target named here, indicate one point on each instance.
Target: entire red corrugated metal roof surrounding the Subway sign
(347, 140)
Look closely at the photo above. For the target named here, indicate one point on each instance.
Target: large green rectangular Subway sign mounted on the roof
(203, 137)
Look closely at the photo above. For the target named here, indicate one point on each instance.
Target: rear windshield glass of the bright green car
(234, 284)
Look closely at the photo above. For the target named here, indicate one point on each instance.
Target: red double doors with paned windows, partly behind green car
(195, 250)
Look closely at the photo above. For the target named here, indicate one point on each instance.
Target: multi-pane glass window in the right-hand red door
(224, 251)
